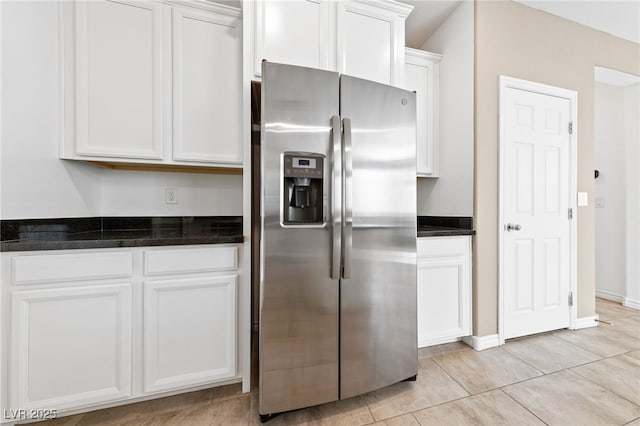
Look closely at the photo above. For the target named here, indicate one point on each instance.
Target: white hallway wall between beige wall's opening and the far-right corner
(610, 189)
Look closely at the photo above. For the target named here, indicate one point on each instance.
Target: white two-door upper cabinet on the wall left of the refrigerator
(153, 82)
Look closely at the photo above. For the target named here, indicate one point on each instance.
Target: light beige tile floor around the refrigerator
(584, 377)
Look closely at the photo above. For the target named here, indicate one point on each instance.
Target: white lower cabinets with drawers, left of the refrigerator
(85, 328)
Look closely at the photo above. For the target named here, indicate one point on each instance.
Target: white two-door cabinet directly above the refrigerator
(356, 37)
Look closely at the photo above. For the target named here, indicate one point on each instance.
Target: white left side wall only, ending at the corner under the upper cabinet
(34, 183)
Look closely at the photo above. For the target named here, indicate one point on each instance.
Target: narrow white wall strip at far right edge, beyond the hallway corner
(632, 150)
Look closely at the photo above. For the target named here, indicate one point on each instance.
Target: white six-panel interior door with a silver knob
(536, 200)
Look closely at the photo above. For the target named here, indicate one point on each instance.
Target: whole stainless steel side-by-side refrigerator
(337, 238)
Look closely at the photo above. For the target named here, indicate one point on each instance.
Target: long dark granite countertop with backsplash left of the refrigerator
(109, 232)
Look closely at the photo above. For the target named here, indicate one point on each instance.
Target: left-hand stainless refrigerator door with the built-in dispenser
(299, 298)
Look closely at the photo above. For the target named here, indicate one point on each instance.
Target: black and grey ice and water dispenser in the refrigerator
(303, 182)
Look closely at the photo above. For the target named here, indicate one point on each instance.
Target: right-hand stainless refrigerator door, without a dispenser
(378, 298)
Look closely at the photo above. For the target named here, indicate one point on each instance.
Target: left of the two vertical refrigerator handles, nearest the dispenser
(336, 196)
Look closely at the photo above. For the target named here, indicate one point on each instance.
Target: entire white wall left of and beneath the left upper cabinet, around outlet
(34, 182)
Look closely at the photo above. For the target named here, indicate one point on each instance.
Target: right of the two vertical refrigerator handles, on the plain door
(348, 199)
